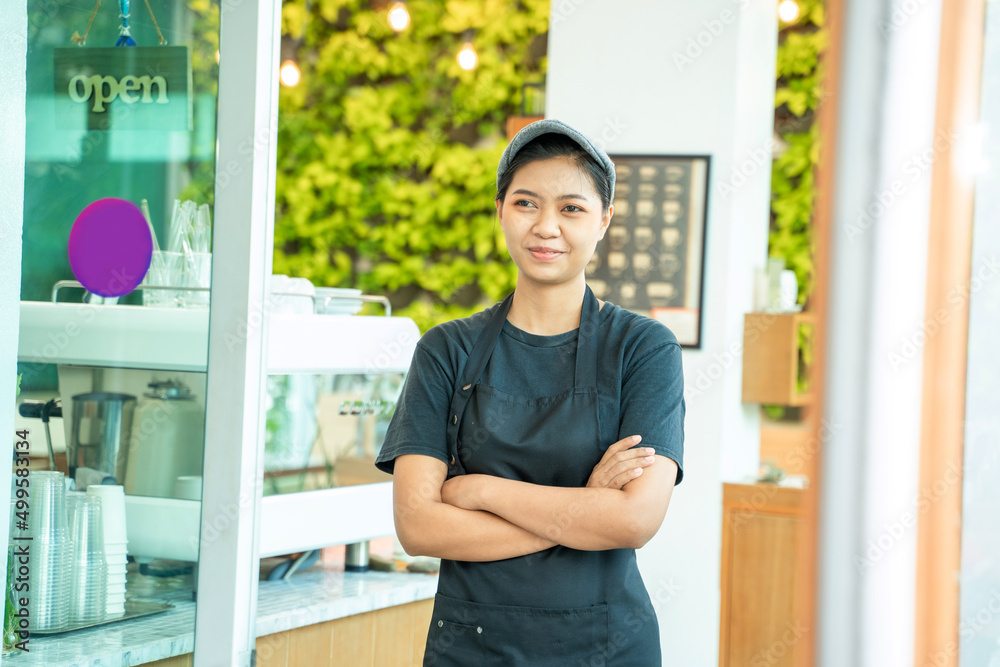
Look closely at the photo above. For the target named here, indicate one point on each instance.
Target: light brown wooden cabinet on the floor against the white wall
(762, 621)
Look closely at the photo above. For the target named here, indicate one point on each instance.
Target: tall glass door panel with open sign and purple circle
(116, 289)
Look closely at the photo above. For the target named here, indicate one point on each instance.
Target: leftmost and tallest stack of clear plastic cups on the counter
(51, 551)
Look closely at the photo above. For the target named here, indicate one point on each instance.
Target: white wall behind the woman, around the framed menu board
(661, 77)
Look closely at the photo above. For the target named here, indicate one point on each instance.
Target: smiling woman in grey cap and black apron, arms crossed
(515, 443)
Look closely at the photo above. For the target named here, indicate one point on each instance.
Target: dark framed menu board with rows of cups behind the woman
(652, 258)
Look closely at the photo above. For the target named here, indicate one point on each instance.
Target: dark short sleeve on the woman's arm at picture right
(652, 400)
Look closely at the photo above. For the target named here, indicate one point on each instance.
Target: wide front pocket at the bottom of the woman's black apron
(511, 635)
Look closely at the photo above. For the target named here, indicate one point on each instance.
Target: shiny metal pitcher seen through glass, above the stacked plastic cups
(102, 422)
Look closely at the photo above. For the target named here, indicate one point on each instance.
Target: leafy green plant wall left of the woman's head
(387, 149)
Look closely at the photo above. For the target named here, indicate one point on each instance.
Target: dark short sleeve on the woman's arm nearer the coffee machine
(420, 421)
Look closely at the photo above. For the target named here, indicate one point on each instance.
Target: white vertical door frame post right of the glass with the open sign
(242, 253)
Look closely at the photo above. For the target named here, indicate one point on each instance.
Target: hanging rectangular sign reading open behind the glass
(133, 88)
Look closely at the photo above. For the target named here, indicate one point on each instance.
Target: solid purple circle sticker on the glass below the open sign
(110, 247)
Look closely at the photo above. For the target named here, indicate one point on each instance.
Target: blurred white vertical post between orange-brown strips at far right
(876, 324)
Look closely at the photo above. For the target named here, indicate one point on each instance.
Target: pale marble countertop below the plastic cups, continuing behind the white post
(319, 594)
